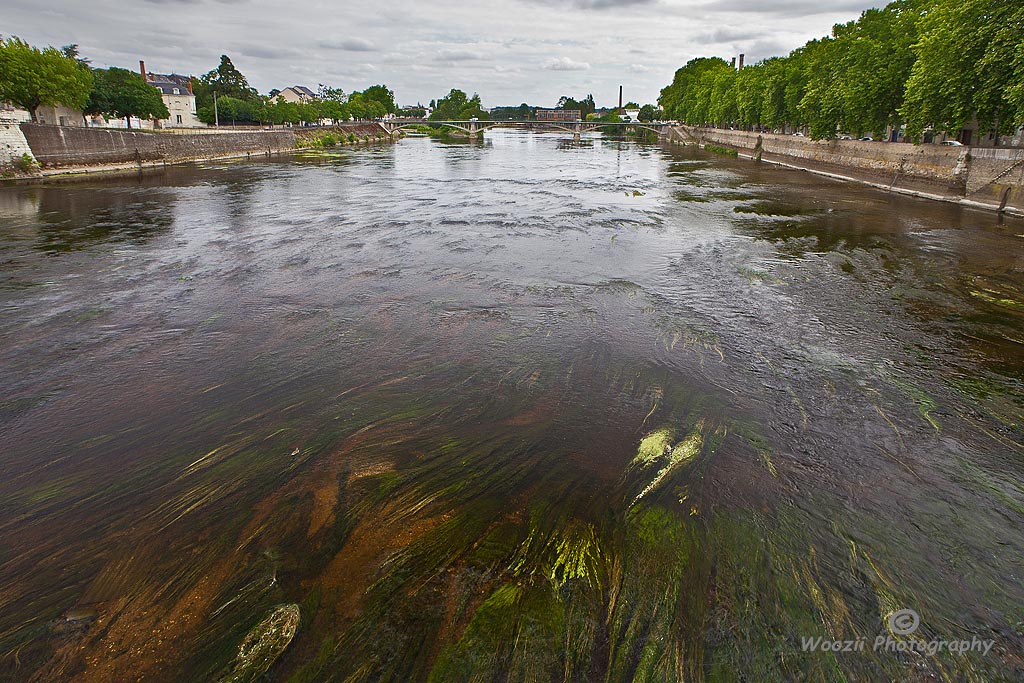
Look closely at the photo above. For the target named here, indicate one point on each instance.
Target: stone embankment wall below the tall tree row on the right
(984, 179)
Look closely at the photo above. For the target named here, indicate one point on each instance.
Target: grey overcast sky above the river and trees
(511, 52)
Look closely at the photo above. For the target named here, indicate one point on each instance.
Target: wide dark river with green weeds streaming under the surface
(525, 410)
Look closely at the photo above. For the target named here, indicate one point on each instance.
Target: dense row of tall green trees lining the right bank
(926, 65)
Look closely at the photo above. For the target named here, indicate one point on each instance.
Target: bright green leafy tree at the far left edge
(31, 78)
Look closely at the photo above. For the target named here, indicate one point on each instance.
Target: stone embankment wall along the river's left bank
(66, 151)
